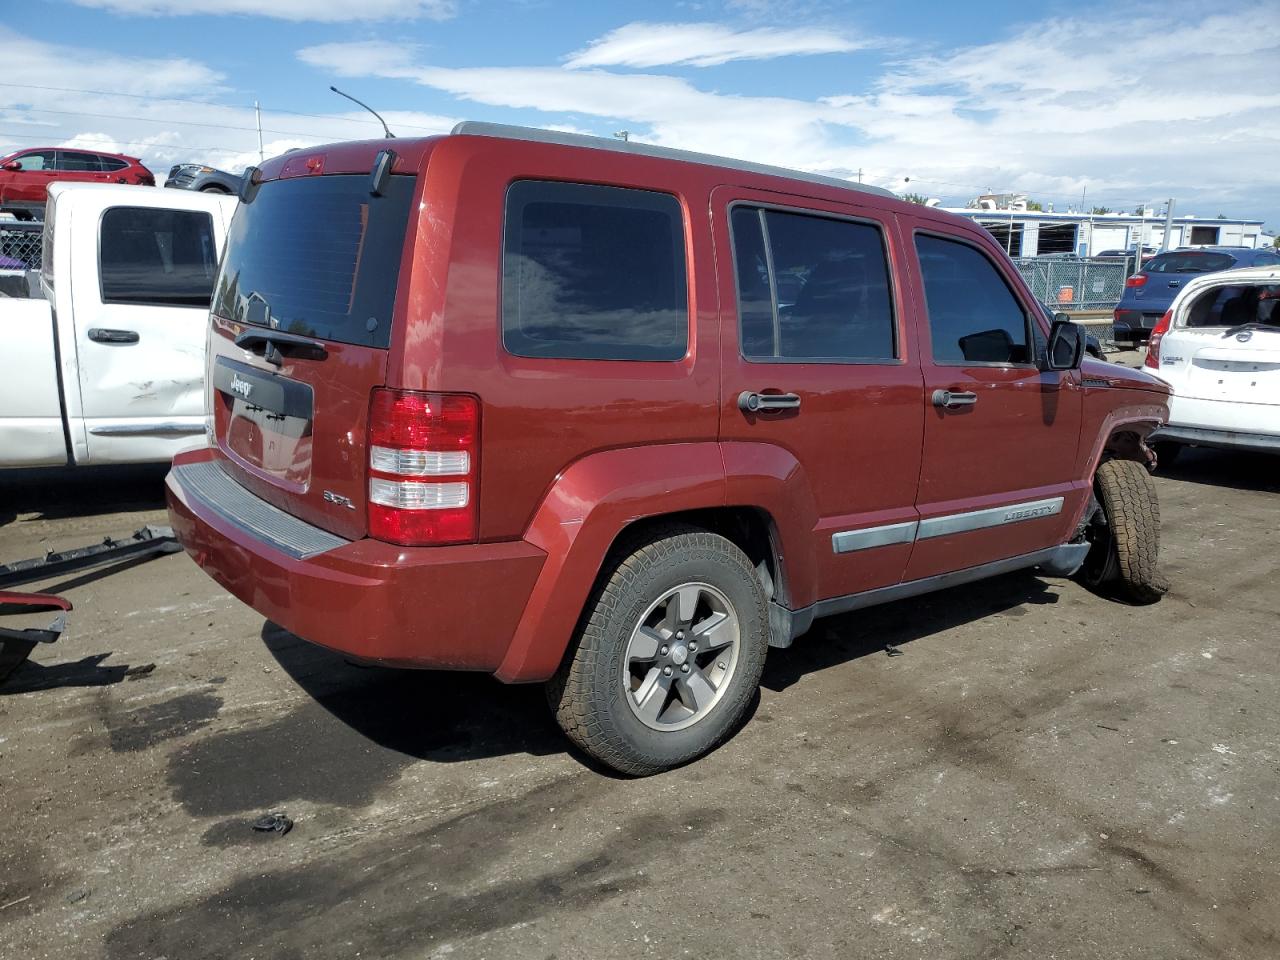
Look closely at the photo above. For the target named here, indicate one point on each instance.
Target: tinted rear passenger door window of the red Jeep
(830, 296)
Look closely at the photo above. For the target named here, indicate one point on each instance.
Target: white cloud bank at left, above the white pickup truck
(163, 111)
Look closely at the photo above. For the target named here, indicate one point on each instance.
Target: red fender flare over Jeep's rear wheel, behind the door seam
(577, 523)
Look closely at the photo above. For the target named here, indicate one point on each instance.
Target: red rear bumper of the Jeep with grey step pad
(441, 607)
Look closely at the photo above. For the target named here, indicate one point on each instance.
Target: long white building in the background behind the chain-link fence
(1034, 232)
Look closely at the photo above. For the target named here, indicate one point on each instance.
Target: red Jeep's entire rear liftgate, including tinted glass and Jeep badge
(321, 258)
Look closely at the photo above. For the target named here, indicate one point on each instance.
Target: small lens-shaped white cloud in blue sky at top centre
(705, 45)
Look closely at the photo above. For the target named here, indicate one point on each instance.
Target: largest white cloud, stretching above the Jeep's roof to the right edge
(1132, 113)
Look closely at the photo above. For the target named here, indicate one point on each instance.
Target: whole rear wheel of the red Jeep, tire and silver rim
(669, 653)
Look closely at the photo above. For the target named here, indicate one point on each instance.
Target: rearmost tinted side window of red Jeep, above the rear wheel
(593, 273)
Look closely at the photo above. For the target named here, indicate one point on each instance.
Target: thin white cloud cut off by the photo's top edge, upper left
(299, 11)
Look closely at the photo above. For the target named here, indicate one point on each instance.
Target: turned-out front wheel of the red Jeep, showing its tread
(1124, 533)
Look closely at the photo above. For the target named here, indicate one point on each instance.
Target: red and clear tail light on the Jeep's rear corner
(423, 468)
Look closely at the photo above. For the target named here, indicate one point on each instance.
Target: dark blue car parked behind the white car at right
(1150, 292)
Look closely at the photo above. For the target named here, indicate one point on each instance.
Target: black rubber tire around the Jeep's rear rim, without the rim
(591, 693)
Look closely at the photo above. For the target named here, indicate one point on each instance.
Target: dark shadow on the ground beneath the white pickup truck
(56, 493)
